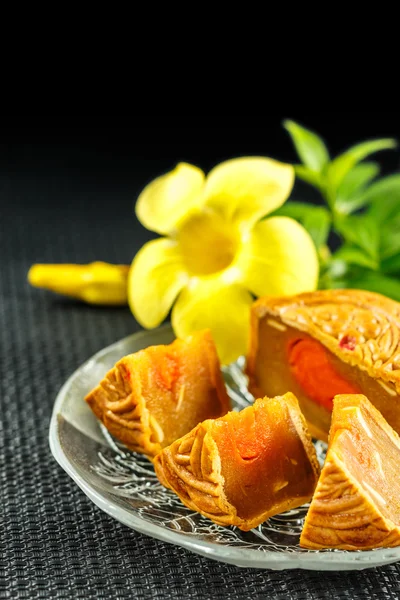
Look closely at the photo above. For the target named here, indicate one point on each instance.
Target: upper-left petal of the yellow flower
(165, 200)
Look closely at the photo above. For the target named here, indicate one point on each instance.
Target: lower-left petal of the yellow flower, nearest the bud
(156, 277)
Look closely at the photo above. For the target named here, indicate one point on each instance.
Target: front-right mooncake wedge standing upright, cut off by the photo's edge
(356, 505)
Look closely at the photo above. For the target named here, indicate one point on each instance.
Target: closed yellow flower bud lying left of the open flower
(95, 283)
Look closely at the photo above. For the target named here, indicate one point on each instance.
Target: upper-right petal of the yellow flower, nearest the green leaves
(246, 189)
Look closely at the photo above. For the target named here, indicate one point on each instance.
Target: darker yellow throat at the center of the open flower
(208, 243)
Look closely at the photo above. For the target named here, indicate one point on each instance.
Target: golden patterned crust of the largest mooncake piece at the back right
(369, 321)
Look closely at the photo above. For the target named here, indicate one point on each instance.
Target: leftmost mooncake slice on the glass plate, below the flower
(152, 397)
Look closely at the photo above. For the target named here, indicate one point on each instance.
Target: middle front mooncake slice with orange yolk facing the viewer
(244, 467)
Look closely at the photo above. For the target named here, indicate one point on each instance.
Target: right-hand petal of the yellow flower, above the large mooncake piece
(278, 259)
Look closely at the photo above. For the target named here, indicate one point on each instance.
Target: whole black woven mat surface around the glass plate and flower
(67, 192)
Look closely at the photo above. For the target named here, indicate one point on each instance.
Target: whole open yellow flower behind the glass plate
(219, 254)
